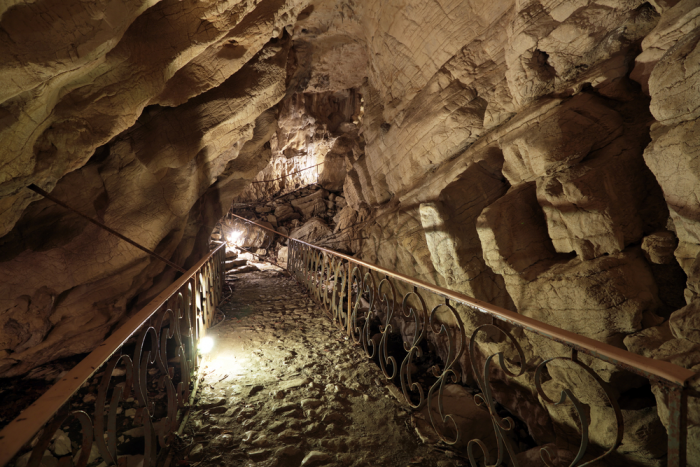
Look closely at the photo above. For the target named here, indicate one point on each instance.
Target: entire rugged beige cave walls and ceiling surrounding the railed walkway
(540, 155)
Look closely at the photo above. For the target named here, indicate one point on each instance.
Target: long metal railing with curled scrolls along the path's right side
(382, 296)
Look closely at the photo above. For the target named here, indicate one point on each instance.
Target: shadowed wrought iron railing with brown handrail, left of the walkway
(133, 360)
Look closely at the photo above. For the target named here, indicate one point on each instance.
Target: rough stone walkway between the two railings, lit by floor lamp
(284, 387)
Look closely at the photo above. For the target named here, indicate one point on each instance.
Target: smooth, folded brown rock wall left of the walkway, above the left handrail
(98, 108)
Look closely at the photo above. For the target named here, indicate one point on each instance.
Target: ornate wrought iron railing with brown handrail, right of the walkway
(363, 300)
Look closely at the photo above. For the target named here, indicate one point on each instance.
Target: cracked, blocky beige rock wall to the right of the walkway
(540, 158)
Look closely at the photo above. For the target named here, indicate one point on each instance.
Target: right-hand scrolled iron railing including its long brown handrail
(315, 275)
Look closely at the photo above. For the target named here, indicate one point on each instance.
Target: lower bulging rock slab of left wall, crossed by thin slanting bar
(142, 189)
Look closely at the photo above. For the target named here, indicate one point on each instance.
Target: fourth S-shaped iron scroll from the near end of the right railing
(419, 319)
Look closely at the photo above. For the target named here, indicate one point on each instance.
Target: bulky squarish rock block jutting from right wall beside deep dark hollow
(593, 212)
